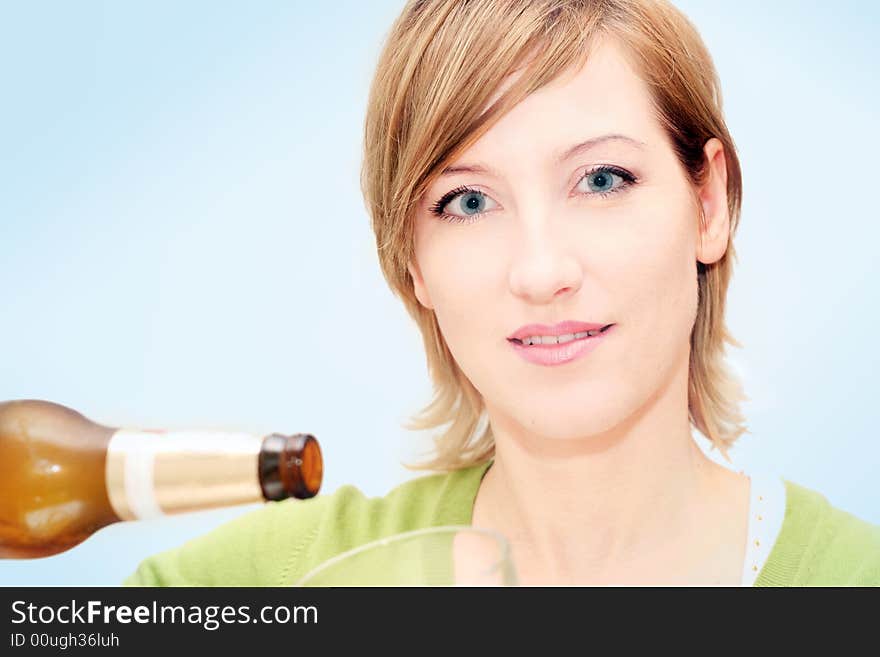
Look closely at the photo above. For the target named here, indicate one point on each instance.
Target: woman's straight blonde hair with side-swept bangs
(442, 62)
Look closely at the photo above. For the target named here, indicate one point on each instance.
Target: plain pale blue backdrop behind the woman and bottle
(184, 243)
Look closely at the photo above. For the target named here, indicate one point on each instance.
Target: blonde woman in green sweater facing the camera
(554, 194)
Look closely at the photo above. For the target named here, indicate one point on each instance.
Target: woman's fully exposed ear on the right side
(715, 230)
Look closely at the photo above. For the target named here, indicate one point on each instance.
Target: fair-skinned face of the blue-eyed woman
(536, 233)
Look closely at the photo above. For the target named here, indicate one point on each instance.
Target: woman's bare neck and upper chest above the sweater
(638, 498)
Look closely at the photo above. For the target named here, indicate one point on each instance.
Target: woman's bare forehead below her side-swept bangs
(605, 96)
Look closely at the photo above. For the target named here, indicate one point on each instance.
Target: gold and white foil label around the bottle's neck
(153, 473)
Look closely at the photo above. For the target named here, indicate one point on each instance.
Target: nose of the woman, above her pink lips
(545, 266)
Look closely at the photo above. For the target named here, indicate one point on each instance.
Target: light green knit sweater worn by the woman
(818, 545)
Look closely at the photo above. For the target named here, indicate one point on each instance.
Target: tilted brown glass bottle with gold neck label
(63, 477)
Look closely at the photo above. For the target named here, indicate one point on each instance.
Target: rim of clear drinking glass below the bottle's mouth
(448, 555)
